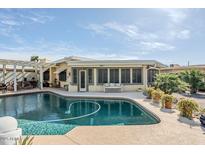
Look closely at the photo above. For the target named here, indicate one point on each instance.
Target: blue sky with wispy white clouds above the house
(167, 35)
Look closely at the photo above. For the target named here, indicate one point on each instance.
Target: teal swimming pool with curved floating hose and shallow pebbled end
(51, 114)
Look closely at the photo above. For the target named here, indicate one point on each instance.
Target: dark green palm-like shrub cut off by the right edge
(194, 78)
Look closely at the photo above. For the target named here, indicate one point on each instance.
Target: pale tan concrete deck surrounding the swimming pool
(169, 131)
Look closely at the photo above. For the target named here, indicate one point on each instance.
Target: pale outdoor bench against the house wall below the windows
(112, 88)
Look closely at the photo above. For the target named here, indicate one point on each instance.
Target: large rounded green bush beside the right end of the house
(170, 83)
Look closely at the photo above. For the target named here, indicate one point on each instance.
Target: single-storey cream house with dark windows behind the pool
(78, 74)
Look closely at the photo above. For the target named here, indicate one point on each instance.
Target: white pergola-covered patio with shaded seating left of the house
(18, 74)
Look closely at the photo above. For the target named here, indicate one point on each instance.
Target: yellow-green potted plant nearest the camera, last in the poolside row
(187, 107)
